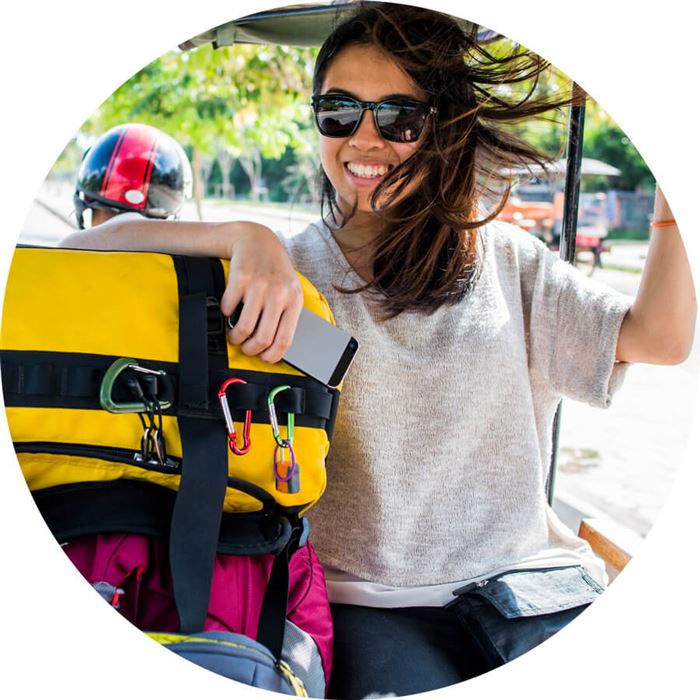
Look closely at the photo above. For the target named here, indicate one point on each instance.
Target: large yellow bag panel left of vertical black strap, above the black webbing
(91, 302)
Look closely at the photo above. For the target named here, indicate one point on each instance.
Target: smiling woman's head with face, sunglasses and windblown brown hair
(435, 169)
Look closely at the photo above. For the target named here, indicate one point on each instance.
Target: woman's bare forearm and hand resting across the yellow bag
(261, 274)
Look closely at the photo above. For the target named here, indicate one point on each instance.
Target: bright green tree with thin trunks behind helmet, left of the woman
(244, 100)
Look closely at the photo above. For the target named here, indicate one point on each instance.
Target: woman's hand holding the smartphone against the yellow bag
(262, 277)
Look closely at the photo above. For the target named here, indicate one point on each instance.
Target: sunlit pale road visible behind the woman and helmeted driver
(620, 462)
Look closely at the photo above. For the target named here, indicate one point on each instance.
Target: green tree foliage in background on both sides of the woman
(240, 110)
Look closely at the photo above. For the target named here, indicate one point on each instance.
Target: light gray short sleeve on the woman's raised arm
(575, 322)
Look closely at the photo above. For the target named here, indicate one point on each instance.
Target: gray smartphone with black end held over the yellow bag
(319, 349)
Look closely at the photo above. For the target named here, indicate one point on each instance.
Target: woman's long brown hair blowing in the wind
(427, 253)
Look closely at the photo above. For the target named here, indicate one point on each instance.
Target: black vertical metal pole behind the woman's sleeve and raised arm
(567, 241)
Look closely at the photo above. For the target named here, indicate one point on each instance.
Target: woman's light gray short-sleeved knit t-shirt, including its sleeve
(441, 448)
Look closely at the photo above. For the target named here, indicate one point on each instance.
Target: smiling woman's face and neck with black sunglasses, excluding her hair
(356, 160)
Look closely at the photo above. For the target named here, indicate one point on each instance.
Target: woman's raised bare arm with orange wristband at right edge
(659, 327)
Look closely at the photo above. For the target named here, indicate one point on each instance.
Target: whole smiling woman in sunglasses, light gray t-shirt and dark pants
(443, 558)
